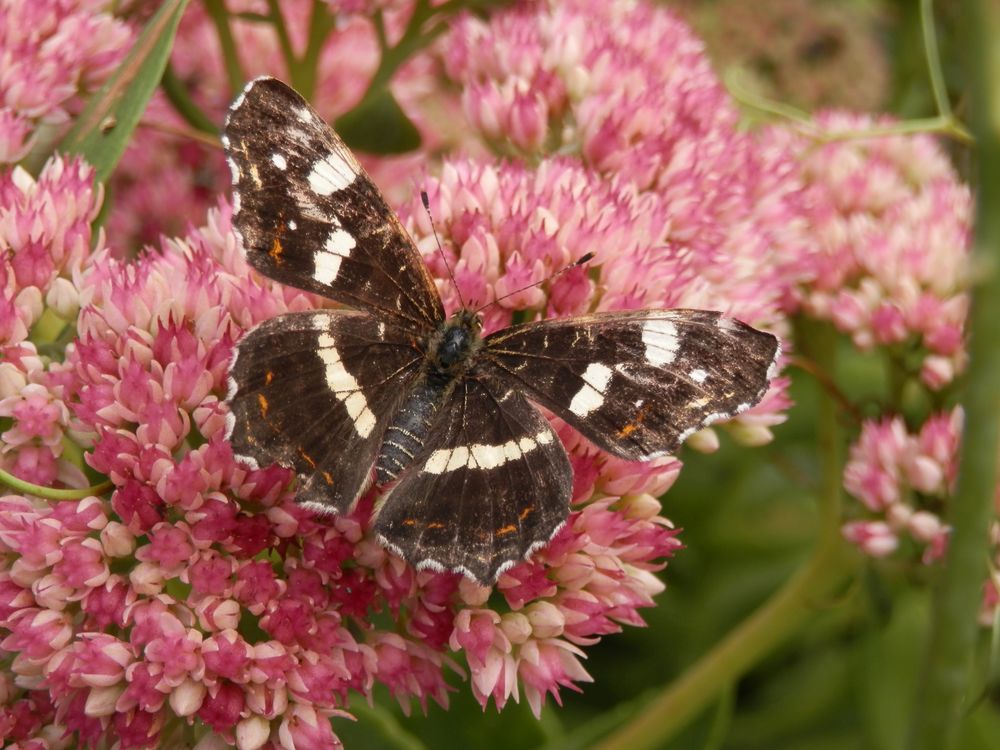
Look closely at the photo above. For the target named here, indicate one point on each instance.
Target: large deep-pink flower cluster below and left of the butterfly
(199, 596)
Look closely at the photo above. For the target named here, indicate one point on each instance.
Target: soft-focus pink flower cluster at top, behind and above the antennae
(627, 91)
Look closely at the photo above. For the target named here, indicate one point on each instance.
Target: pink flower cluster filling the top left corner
(72, 48)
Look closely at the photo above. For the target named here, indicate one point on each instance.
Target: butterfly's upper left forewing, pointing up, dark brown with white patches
(310, 217)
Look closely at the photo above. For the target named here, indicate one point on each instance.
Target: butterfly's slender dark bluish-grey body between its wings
(450, 355)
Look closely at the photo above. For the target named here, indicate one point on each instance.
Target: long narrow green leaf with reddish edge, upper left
(105, 126)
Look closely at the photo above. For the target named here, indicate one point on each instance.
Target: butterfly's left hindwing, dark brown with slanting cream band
(296, 398)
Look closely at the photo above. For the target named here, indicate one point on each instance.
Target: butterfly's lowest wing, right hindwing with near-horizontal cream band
(492, 485)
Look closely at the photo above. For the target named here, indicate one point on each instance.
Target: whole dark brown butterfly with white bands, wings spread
(395, 392)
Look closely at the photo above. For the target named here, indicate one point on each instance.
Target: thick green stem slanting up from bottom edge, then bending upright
(779, 618)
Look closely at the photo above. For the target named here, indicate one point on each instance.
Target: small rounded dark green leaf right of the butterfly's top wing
(378, 125)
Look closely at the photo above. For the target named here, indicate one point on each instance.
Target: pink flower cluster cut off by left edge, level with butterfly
(45, 227)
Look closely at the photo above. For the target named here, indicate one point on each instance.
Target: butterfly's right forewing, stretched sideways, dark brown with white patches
(637, 383)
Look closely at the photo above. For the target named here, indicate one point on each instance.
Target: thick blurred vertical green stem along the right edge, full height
(942, 699)
